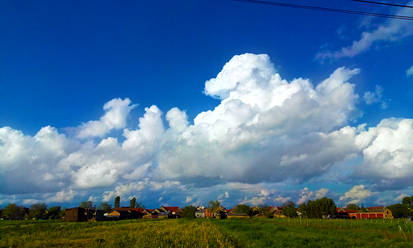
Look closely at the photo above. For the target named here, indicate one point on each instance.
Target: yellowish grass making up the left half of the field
(136, 233)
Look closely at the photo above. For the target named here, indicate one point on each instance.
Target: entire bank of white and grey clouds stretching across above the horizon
(265, 131)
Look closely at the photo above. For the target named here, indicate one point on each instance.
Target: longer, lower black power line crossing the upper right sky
(311, 7)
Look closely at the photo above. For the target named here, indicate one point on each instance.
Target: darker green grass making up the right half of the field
(319, 233)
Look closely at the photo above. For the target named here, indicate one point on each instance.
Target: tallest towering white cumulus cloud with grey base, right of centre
(265, 128)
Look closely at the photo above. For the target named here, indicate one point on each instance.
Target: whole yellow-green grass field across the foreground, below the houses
(208, 233)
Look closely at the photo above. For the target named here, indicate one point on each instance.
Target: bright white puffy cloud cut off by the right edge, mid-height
(388, 152)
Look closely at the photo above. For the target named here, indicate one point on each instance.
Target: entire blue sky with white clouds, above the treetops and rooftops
(61, 62)
